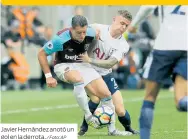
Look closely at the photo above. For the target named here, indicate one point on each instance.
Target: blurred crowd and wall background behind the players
(26, 29)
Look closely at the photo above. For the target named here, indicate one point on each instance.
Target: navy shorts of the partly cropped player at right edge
(165, 64)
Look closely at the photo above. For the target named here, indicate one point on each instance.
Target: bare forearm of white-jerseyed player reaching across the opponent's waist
(107, 64)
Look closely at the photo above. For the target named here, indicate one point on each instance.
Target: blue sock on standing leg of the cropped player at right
(146, 119)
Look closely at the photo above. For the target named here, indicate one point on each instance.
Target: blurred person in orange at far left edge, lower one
(14, 67)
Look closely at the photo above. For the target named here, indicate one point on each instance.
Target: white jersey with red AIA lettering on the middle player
(107, 47)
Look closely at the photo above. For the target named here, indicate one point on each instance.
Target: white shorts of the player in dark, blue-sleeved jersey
(87, 72)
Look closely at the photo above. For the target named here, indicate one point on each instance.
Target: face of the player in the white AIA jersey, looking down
(121, 24)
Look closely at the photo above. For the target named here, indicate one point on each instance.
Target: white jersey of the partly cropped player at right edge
(173, 26)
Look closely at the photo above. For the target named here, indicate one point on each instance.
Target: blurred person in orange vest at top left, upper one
(29, 26)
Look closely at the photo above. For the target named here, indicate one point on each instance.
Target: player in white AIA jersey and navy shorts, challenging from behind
(103, 55)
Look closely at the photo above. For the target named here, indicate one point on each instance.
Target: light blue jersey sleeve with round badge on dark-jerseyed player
(54, 45)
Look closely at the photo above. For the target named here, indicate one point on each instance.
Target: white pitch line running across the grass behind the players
(65, 106)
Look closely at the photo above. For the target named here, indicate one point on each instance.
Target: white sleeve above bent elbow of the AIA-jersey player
(120, 53)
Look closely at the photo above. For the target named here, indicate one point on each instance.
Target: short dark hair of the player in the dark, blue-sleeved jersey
(79, 20)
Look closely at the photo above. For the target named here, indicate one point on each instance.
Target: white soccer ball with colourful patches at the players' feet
(103, 115)
